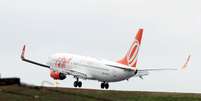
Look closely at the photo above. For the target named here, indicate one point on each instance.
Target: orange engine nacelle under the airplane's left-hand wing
(57, 76)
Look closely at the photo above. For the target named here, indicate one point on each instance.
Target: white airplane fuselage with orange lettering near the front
(89, 68)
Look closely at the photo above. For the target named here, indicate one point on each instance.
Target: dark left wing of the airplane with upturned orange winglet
(31, 61)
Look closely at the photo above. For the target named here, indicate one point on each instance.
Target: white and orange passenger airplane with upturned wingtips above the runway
(87, 68)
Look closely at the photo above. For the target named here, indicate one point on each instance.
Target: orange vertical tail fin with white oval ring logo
(130, 58)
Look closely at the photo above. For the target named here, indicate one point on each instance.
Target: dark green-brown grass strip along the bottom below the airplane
(31, 93)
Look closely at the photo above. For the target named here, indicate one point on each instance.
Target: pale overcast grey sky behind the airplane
(104, 29)
